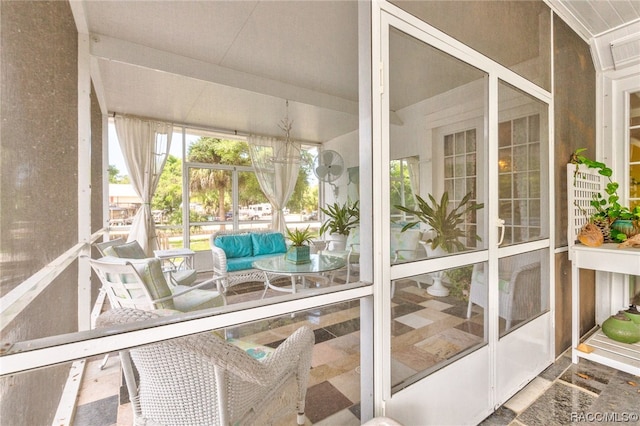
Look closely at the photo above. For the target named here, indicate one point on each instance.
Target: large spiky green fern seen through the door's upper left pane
(443, 220)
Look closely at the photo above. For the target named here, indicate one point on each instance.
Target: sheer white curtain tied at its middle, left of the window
(145, 145)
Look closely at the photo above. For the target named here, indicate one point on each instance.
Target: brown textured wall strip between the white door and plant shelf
(575, 115)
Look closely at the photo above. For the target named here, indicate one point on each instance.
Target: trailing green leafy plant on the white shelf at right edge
(616, 222)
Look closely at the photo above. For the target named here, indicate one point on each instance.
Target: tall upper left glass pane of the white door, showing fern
(428, 91)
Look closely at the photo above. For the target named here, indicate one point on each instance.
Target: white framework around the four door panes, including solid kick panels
(405, 404)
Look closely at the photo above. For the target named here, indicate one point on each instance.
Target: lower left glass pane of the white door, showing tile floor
(428, 332)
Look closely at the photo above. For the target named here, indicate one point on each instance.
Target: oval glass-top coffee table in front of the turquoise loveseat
(316, 268)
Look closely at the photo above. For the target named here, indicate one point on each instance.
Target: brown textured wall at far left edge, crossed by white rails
(38, 187)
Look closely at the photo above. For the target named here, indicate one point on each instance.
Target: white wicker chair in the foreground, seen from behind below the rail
(203, 380)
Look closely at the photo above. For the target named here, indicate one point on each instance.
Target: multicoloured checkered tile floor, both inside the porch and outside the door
(586, 389)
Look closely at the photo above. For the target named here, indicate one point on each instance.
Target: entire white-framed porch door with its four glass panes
(468, 230)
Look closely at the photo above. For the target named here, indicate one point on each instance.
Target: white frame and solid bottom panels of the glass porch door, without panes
(477, 386)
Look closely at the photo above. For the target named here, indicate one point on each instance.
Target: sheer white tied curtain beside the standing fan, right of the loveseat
(277, 178)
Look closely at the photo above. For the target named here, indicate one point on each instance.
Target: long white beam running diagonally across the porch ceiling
(113, 49)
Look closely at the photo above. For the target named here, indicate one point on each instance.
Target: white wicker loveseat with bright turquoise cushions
(235, 251)
